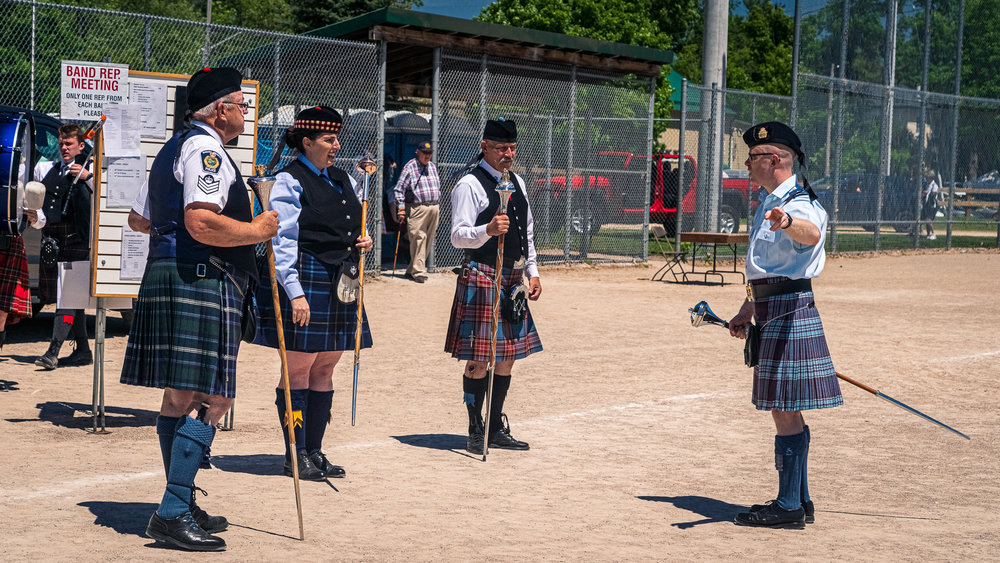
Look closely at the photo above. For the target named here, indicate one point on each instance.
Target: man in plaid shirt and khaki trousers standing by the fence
(418, 194)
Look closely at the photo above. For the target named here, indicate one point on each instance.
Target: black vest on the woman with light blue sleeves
(329, 222)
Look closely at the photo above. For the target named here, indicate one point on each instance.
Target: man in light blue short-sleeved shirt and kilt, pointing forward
(795, 372)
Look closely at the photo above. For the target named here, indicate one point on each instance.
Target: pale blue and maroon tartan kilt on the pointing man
(795, 370)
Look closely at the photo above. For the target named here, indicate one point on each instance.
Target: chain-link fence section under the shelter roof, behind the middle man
(576, 128)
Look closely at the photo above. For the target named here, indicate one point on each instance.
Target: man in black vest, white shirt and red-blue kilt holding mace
(475, 226)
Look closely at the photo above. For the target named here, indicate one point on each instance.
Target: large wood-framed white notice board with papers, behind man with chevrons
(119, 257)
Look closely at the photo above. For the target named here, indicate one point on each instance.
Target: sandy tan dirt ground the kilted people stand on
(644, 443)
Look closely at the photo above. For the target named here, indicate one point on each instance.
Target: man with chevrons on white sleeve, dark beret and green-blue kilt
(186, 332)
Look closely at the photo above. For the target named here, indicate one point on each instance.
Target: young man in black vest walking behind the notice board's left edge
(67, 212)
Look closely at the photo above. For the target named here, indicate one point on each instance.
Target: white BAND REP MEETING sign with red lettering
(86, 87)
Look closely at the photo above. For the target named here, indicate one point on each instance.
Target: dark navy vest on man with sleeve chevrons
(168, 237)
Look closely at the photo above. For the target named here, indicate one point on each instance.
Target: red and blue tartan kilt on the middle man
(469, 329)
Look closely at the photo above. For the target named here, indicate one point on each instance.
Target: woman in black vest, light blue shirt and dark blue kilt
(318, 242)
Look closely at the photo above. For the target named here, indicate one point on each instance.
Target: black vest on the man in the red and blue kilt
(516, 239)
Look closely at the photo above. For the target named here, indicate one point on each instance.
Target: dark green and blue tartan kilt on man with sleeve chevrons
(186, 330)
